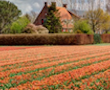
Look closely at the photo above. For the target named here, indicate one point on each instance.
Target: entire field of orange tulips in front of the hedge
(55, 68)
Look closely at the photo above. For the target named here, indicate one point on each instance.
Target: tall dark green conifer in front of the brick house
(52, 22)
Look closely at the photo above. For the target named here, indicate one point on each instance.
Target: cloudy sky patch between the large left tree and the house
(29, 5)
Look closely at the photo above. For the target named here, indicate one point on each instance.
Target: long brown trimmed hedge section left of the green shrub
(49, 39)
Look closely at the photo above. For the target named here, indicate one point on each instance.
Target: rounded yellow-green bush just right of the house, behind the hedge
(82, 26)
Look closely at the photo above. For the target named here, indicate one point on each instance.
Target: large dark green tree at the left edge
(8, 13)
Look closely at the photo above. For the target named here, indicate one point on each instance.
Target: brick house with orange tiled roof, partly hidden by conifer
(66, 17)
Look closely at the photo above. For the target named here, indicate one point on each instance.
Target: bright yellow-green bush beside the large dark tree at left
(19, 25)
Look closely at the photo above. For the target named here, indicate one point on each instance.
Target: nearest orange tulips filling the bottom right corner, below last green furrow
(98, 81)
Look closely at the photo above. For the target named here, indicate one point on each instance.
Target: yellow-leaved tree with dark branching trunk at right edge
(98, 19)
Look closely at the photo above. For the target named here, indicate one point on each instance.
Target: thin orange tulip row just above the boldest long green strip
(47, 65)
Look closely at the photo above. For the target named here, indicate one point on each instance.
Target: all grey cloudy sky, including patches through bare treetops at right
(36, 5)
